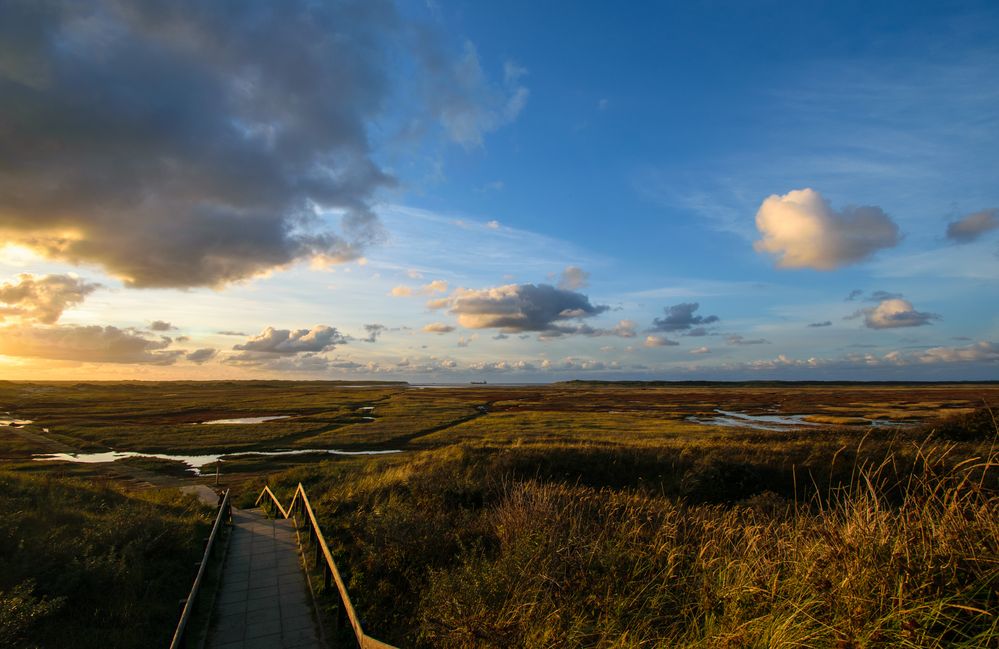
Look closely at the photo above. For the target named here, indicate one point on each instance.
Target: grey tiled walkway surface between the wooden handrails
(264, 600)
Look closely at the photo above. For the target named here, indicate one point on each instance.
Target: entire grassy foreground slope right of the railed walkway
(892, 542)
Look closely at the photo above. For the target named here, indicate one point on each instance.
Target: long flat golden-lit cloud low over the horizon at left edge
(87, 344)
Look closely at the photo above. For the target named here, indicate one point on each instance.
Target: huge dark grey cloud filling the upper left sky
(182, 144)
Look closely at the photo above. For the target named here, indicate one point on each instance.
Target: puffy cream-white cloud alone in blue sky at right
(803, 231)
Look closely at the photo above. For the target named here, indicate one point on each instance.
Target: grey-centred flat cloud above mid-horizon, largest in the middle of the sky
(517, 308)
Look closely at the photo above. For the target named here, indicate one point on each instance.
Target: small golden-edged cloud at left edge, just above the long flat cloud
(42, 299)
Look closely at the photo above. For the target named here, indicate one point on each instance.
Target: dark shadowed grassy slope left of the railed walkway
(92, 565)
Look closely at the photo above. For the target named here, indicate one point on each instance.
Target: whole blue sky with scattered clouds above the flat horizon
(443, 191)
